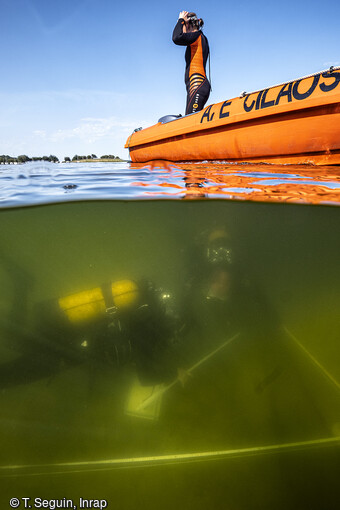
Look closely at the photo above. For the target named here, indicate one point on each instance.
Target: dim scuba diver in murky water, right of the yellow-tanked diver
(220, 300)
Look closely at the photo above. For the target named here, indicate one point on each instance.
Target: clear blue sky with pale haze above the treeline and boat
(78, 76)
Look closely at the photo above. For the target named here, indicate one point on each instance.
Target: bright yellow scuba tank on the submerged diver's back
(91, 304)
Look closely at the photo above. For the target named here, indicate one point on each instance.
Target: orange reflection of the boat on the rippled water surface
(274, 183)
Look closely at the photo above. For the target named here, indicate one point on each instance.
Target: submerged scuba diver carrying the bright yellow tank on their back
(118, 323)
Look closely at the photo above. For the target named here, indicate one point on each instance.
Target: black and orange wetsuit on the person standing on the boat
(196, 55)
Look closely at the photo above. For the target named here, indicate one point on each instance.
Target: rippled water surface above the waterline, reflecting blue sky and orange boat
(40, 183)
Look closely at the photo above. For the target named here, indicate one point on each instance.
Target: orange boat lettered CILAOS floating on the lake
(296, 122)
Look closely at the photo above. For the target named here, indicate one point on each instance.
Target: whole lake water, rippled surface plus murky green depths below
(238, 284)
